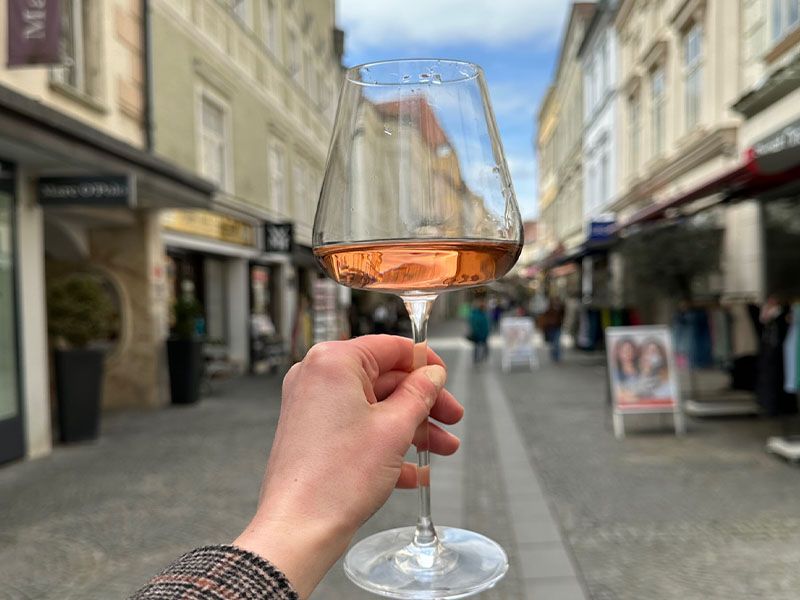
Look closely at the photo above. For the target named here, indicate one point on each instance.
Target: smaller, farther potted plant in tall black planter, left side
(185, 349)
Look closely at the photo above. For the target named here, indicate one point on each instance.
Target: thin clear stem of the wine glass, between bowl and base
(419, 309)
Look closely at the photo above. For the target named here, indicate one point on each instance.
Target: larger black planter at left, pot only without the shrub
(79, 389)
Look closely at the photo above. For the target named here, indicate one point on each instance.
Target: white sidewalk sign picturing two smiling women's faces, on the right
(642, 375)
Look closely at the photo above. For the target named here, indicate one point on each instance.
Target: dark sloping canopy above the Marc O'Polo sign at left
(48, 142)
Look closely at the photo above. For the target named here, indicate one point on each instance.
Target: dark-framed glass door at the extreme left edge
(12, 444)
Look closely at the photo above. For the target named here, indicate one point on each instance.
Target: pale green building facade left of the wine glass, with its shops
(244, 95)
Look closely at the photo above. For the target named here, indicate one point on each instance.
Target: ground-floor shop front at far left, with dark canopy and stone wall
(76, 200)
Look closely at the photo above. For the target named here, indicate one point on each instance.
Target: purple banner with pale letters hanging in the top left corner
(34, 29)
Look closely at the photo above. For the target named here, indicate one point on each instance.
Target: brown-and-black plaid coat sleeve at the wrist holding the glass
(218, 573)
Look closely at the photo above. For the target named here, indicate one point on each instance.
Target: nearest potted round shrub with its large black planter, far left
(80, 318)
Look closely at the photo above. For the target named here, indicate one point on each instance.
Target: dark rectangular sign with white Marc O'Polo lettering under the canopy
(103, 190)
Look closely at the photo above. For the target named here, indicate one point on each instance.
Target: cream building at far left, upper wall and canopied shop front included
(69, 127)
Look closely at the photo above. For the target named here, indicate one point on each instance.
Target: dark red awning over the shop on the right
(747, 179)
